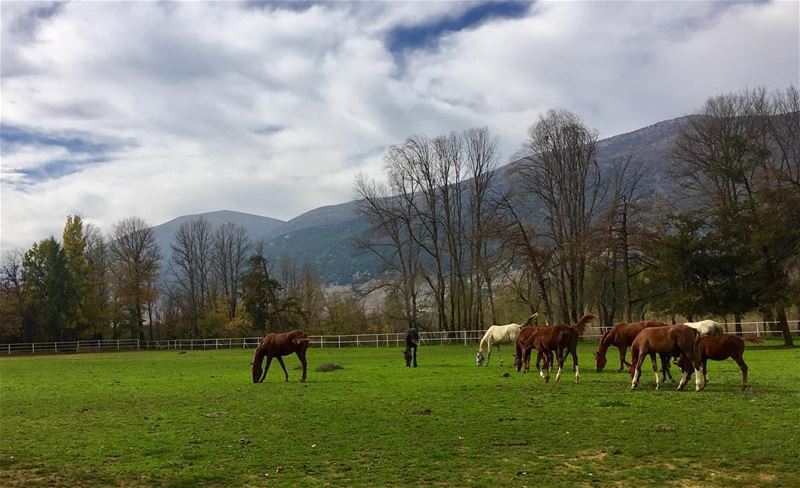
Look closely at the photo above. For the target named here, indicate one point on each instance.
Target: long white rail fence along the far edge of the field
(391, 339)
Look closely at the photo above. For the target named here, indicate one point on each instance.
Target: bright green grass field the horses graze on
(185, 419)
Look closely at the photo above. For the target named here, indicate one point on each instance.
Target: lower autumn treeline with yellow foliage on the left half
(217, 283)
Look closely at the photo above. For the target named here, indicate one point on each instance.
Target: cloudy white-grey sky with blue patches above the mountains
(160, 109)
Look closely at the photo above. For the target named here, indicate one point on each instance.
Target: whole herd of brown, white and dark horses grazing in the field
(691, 344)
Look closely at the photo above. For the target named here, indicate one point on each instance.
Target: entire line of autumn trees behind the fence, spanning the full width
(463, 243)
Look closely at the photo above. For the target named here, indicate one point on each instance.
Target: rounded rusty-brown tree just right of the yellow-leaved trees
(135, 259)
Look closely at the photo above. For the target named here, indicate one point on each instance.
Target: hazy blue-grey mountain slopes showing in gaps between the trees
(324, 237)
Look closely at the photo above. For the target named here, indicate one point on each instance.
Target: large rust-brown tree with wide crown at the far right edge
(734, 159)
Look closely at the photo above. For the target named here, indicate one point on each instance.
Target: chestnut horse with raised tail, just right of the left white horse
(560, 339)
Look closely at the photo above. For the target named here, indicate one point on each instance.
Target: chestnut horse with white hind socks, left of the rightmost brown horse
(667, 342)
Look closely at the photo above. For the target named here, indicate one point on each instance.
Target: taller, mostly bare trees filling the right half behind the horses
(562, 235)
